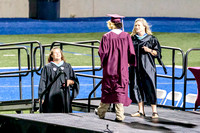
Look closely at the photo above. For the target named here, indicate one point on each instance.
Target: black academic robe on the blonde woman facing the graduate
(143, 76)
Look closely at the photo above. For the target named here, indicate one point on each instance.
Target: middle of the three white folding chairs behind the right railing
(177, 97)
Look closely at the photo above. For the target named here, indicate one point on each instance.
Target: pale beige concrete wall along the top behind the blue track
(99, 8)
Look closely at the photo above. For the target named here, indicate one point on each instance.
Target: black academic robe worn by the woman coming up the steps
(54, 99)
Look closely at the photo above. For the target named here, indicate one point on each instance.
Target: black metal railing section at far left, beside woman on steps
(31, 66)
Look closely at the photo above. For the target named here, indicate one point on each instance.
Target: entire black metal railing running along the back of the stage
(32, 66)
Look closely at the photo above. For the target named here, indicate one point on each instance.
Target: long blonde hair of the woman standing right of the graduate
(145, 24)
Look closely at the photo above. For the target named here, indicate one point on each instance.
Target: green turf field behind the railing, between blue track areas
(184, 41)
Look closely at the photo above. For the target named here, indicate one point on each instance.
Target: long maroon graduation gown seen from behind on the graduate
(116, 51)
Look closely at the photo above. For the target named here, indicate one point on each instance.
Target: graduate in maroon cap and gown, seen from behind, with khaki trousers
(116, 51)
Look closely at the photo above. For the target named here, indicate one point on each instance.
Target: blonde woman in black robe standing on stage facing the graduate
(143, 76)
